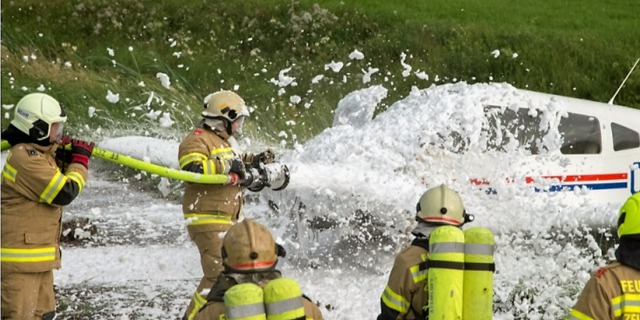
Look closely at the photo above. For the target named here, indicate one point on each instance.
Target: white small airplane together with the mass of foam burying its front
(499, 138)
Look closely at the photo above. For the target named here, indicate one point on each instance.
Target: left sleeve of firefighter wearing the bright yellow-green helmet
(593, 303)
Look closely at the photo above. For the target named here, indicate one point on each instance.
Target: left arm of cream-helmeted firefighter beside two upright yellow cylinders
(396, 298)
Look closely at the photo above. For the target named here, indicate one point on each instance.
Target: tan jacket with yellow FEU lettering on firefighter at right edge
(613, 292)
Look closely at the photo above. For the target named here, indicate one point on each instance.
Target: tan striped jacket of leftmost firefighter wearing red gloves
(33, 189)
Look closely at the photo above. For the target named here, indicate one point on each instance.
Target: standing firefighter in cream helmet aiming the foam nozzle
(210, 210)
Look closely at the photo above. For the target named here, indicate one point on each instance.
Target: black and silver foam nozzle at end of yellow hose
(272, 175)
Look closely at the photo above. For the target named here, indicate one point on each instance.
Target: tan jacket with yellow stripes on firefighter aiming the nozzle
(209, 207)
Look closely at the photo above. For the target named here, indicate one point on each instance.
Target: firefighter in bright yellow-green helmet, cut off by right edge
(613, 292)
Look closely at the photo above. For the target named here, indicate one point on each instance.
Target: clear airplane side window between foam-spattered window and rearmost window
(581, 134)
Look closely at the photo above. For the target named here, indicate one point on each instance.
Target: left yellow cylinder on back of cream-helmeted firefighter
(446, 273)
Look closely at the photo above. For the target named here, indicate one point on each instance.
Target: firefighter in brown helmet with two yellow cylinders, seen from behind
(250, 285)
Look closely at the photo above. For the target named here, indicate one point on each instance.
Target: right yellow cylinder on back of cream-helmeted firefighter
(478, 274)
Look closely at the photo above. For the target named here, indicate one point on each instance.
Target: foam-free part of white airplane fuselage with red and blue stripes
(600, 149)
